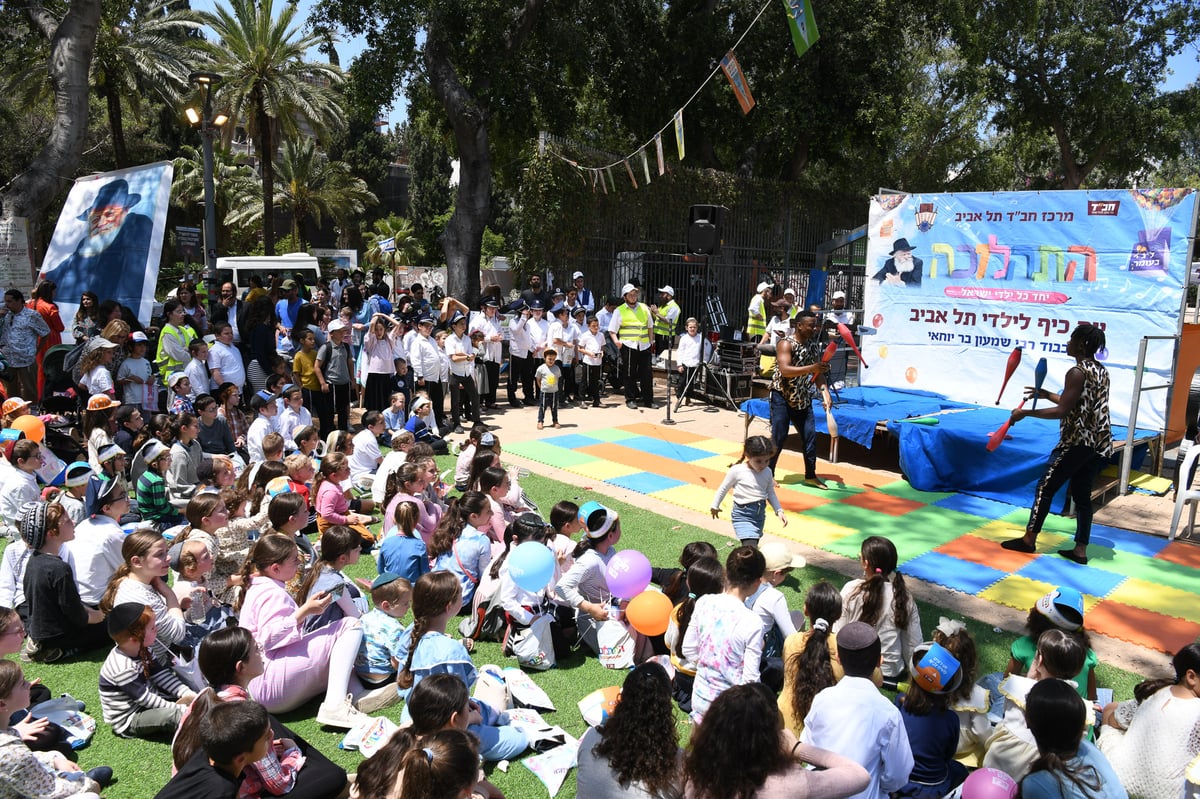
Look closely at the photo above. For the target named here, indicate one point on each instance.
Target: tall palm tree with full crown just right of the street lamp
(267, 85)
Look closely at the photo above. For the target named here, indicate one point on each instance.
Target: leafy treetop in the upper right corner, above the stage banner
(1087, 73)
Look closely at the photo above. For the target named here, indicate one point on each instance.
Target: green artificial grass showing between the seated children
(143, 767)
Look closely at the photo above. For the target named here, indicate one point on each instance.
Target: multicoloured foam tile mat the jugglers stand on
(1138, 588)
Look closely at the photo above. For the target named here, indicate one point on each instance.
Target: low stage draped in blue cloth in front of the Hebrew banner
(943, 442)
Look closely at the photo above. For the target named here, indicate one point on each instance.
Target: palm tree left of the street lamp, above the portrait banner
(143, 47)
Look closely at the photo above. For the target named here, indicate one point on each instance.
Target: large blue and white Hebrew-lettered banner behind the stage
(956, 283)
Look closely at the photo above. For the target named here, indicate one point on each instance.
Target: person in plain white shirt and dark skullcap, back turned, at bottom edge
(855, 720)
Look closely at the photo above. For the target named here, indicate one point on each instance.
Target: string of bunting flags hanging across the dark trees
(803, 27)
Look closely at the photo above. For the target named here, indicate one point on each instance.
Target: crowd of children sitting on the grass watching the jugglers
(261, 617)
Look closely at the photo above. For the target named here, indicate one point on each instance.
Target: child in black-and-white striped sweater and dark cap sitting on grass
(141, 696)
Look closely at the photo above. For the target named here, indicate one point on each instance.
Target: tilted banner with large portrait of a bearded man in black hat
(109, 241)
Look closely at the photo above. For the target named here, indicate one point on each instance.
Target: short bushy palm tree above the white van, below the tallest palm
(310, 185)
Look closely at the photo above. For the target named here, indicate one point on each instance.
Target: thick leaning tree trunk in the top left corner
(73, 44)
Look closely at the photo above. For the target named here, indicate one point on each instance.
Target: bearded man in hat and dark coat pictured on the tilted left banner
(111, 259)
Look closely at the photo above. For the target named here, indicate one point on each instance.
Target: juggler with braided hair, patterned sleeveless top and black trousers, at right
(1085, 441)
